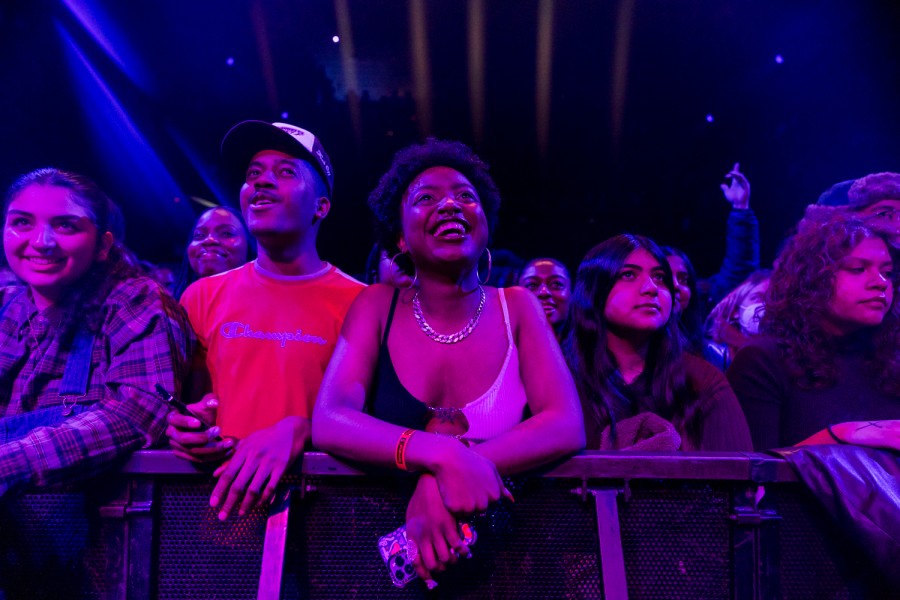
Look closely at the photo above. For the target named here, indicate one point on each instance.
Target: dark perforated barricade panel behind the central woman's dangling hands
(543, 546)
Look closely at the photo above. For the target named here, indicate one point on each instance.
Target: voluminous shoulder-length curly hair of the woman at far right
(801, 289)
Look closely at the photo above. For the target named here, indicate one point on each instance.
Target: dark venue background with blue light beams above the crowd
(592, 113)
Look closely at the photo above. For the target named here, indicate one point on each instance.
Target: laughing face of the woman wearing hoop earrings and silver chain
(442, 218)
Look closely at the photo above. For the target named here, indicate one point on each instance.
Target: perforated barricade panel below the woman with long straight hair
(677, 540)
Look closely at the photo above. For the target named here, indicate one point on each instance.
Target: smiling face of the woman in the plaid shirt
(50, 241)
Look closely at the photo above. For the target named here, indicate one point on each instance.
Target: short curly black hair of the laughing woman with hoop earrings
(408, 163)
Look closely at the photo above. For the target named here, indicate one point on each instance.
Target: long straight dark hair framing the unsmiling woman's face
(600, 386)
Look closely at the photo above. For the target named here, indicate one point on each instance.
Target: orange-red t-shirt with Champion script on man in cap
(266, 340)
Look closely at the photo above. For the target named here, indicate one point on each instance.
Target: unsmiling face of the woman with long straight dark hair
(639, 302)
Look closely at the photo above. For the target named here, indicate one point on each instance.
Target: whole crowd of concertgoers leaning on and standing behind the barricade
(430, 368)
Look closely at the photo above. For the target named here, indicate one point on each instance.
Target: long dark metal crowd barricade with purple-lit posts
(600, 525)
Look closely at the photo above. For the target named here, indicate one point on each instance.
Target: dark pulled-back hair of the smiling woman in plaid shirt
(83, 303)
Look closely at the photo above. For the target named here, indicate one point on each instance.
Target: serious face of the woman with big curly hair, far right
(863, 288)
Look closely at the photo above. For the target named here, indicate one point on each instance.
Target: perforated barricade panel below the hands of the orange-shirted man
(201, 557)
